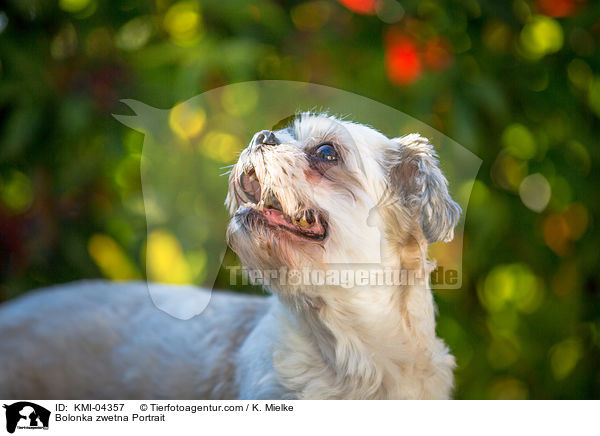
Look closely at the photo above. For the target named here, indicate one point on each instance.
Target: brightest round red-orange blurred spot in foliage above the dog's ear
(402, 60)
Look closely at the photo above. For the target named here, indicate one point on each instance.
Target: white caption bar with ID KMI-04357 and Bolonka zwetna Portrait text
(23, 417)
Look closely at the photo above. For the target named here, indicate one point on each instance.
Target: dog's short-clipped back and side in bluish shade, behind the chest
(97, 339)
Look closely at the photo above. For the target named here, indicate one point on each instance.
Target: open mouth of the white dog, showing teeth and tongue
(306, 223)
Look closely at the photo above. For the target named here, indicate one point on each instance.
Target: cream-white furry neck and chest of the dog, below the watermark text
(368, 342)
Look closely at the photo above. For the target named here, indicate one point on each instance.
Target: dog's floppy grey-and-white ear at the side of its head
(416, 180)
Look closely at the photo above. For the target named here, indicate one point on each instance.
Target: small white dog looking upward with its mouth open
(321, 195)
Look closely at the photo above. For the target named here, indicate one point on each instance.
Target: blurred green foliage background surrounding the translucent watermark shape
(516, 82)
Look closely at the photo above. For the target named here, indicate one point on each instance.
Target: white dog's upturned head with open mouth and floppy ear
(326, 191)
